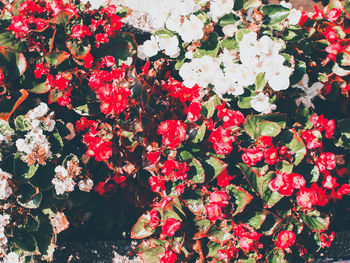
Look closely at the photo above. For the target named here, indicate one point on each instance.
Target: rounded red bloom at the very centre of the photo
(173, 132)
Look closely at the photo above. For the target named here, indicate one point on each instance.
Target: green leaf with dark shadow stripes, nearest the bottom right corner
(315, 220)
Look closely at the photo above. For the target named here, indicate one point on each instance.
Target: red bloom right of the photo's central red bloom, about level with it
(222, 140)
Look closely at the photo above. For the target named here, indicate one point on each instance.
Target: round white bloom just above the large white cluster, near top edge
(192, 29)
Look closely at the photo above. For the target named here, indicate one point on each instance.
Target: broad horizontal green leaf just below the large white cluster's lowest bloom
(251, 123)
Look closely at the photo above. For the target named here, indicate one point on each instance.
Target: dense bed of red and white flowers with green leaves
(217, 137)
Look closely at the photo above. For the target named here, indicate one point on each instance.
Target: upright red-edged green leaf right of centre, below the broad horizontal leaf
(293, 141)
